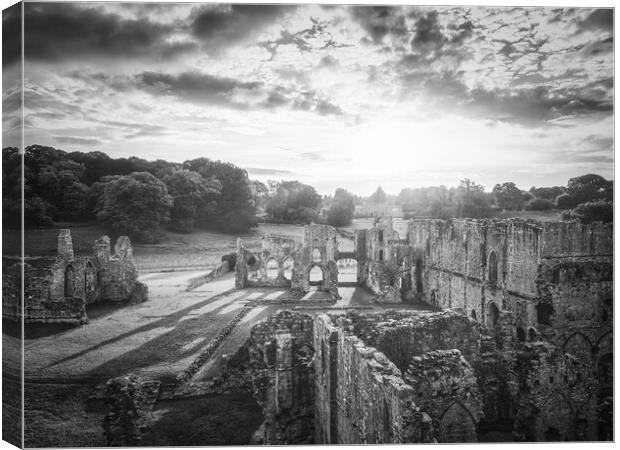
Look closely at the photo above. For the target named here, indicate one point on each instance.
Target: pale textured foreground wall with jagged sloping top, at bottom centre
(361, 397)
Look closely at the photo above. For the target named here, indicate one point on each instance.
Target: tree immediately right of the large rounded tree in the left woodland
(191, 194)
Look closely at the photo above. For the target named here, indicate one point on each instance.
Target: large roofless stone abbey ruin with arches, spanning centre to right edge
(523, 349)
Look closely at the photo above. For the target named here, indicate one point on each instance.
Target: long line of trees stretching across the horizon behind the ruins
(139, 198)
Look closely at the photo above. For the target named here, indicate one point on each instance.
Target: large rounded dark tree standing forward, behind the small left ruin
(135, 205)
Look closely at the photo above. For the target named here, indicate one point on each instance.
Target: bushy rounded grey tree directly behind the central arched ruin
(294, 202)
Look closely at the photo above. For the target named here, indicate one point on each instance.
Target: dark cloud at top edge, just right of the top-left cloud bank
(220, 26)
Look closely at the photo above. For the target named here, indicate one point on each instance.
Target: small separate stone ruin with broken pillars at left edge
(58, 290)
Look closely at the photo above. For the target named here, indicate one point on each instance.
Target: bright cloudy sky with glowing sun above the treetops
(332, 96)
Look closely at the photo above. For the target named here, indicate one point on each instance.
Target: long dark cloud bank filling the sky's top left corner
(64, 30)
